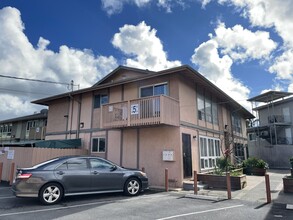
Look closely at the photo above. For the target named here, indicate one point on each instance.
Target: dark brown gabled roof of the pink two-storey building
(188, 71)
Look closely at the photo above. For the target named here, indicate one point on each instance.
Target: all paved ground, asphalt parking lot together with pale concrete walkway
(248, 203)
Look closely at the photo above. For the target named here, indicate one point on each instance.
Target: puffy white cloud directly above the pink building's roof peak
(144, 48)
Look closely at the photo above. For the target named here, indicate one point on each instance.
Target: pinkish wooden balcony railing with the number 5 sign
(141, 112)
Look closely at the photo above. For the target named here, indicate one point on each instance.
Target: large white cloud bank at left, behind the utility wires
(19, 58)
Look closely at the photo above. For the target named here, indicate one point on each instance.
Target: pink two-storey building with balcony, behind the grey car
(173, 119)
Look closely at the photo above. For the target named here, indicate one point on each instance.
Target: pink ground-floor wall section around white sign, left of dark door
(152, 143)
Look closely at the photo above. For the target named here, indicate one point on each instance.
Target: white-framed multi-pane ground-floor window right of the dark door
(209, 152)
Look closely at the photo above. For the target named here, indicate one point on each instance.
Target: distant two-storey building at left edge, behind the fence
(24, 129)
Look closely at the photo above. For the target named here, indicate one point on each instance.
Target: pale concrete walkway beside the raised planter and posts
(256, 189)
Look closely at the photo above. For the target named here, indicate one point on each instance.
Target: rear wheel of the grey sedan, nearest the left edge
(51, 194)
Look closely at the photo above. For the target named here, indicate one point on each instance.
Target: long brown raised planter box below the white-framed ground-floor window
(216, 181)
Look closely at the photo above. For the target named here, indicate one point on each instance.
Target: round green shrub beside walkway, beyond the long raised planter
(254, 166)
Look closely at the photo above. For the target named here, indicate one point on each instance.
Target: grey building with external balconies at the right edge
(270, 136)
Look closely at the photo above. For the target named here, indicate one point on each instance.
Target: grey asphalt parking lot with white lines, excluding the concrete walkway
(149, 205)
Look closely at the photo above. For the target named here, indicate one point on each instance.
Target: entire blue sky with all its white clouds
(243, 46)
